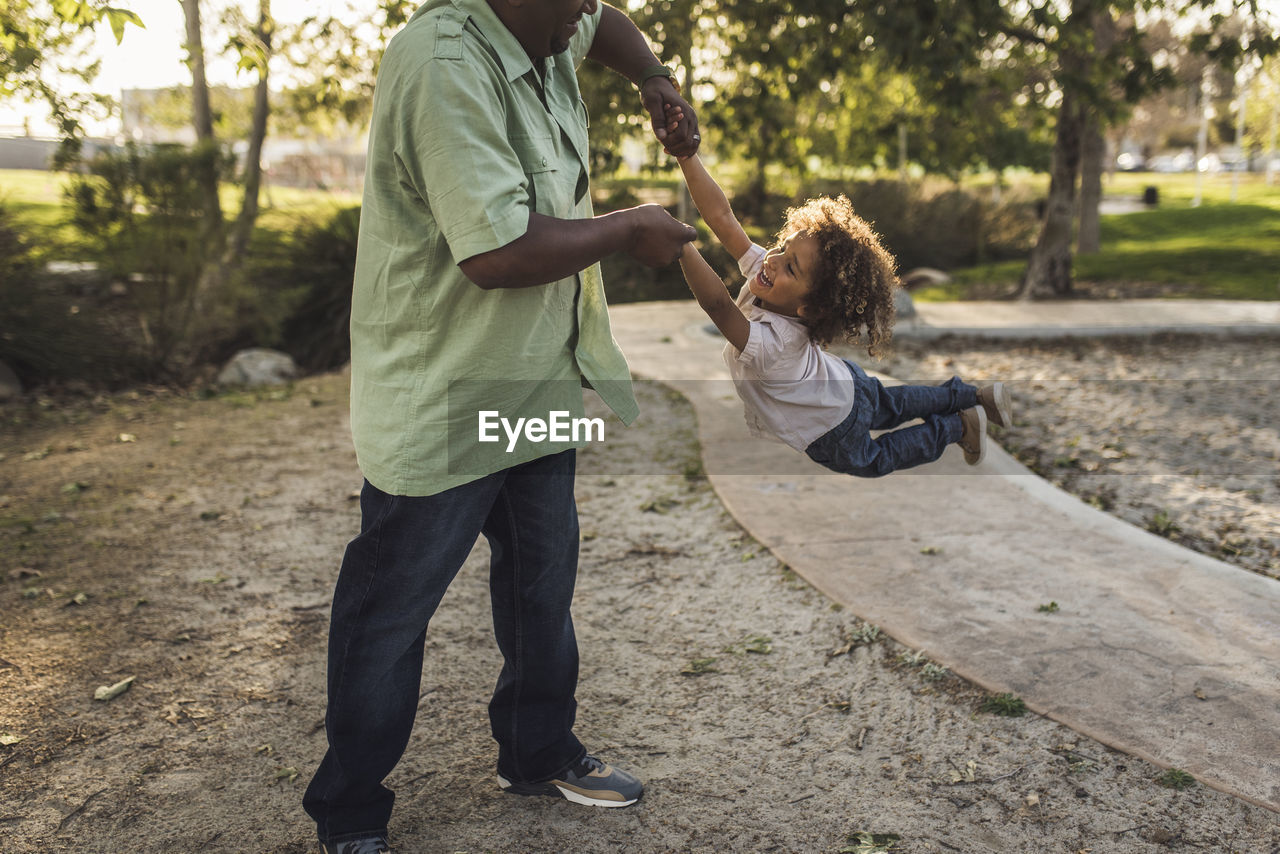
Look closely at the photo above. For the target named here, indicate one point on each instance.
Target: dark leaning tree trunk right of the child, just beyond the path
(1049, 272)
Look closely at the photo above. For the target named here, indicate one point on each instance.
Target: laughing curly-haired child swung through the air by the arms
(829, 276)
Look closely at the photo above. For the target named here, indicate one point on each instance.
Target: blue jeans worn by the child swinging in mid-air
(851, 449)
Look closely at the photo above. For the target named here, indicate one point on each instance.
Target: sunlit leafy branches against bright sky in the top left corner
(44, 39)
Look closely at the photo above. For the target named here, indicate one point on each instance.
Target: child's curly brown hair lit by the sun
(852, 293)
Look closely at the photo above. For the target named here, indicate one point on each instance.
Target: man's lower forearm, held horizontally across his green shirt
(551, 250)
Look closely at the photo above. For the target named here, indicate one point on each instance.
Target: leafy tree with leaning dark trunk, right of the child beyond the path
(1100, 61)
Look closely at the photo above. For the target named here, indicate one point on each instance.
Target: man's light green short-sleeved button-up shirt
(468, 138)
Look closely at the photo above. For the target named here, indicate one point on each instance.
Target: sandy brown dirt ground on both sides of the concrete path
(191, 545)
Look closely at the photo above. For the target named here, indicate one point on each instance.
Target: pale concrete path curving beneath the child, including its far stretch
(1156, 651)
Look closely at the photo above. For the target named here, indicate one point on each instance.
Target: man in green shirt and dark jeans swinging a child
(478, 295)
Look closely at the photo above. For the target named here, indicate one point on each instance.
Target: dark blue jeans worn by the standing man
(392, 579)
